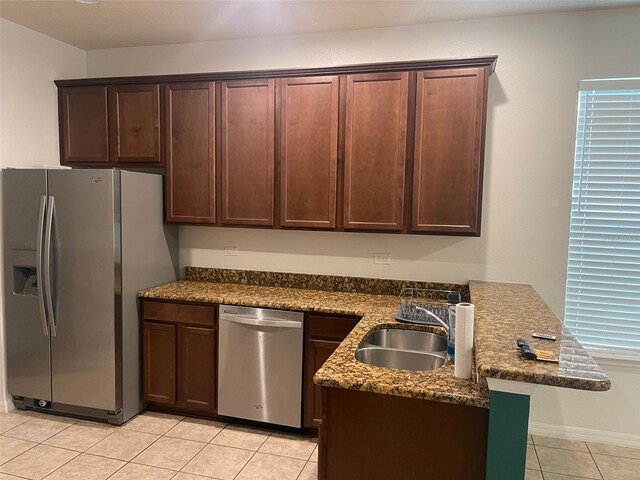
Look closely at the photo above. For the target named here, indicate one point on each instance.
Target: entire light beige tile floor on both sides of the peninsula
(157, 446)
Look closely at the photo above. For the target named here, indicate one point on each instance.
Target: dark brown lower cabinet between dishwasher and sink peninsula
(323, 334)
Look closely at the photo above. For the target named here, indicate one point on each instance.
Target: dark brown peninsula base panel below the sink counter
(369, 436)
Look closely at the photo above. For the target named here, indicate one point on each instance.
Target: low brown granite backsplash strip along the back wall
(377, 286)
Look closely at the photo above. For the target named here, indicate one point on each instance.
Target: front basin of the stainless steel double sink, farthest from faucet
(401, 359)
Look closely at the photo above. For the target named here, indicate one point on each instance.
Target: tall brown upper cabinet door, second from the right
(375, 151)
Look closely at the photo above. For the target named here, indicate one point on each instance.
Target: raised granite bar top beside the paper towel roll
(505, 312)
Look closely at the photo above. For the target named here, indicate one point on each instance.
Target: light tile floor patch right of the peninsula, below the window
(557, 459)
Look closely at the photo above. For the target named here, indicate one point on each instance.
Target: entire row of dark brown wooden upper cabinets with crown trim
(385, 147)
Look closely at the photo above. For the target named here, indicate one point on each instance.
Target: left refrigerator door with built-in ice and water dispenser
(27, 344)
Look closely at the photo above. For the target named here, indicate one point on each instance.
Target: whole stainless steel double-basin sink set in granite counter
(403, 349)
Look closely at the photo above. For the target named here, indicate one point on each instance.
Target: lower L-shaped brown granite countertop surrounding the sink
(342, 369)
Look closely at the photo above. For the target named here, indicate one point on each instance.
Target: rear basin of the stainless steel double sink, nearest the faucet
(405, 339)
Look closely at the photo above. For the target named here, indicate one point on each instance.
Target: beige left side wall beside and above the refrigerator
(29, 62)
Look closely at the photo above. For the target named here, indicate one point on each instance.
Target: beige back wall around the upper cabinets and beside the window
(529, 159)
